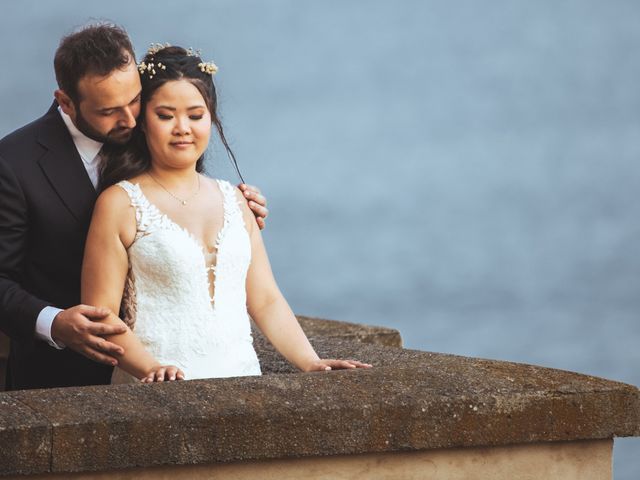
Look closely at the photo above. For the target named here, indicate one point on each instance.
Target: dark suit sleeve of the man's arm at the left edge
(19, 309)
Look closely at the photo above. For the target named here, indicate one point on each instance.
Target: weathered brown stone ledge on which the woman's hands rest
(409, 401)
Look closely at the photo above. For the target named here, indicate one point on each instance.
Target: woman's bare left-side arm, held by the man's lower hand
(104, 271)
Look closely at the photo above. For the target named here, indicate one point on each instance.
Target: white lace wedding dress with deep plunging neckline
(167, 298)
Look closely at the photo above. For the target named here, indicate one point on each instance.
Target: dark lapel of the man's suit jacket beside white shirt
(63, 167)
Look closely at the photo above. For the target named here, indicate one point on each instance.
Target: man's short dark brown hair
(96, 49)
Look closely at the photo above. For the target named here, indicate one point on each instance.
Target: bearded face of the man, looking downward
(108, 106)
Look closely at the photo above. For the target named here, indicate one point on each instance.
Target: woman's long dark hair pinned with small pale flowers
(168, 64)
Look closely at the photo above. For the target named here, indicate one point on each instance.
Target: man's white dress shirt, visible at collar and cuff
(89, 153)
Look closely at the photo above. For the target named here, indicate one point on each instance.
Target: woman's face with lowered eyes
(177, 125)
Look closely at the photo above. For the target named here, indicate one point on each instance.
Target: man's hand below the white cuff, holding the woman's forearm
(79, 329)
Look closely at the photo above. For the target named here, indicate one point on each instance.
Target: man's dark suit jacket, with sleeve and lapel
(46, 201)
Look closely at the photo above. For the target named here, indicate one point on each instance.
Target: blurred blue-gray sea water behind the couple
(466, 172)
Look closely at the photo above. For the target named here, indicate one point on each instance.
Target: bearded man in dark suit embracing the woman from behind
(49, 171)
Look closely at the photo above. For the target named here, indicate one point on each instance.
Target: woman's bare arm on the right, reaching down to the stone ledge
(271, 312)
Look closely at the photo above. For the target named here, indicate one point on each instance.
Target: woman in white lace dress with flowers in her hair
(184, 248)
